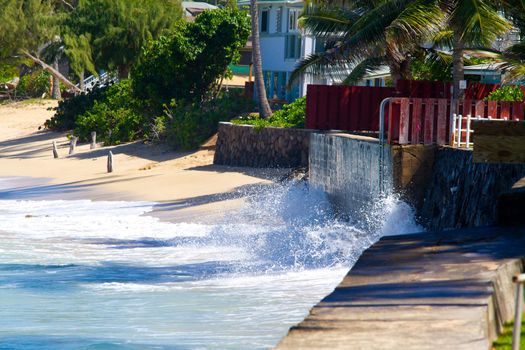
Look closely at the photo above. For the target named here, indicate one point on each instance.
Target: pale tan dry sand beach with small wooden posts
(185, 184)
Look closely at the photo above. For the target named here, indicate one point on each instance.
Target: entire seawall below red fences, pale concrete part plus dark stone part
(443, 184)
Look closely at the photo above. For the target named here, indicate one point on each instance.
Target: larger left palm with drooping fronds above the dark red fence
(364, 35)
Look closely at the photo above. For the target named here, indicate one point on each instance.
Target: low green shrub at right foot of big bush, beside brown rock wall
(188, 126)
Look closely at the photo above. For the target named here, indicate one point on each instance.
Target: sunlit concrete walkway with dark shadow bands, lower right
(443, 291)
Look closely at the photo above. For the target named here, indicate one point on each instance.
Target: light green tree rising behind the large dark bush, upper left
(119, 28)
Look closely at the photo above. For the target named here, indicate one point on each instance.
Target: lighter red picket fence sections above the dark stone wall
(427, 120)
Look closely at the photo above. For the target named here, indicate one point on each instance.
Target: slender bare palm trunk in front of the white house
(264, 107)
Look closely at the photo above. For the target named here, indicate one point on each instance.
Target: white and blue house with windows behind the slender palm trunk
(283, 45)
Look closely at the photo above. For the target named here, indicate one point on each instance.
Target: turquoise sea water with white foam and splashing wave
(102, 275)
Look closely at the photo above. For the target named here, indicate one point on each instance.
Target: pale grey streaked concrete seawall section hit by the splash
(346, 167)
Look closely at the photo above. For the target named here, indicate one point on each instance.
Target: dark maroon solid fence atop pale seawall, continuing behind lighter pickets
(356, 108)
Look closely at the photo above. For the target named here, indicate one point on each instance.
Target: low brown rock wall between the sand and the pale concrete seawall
(245, 145)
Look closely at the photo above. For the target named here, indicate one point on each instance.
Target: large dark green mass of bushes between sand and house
(174, 90)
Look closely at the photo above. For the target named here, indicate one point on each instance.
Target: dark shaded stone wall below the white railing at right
(461, 193)
